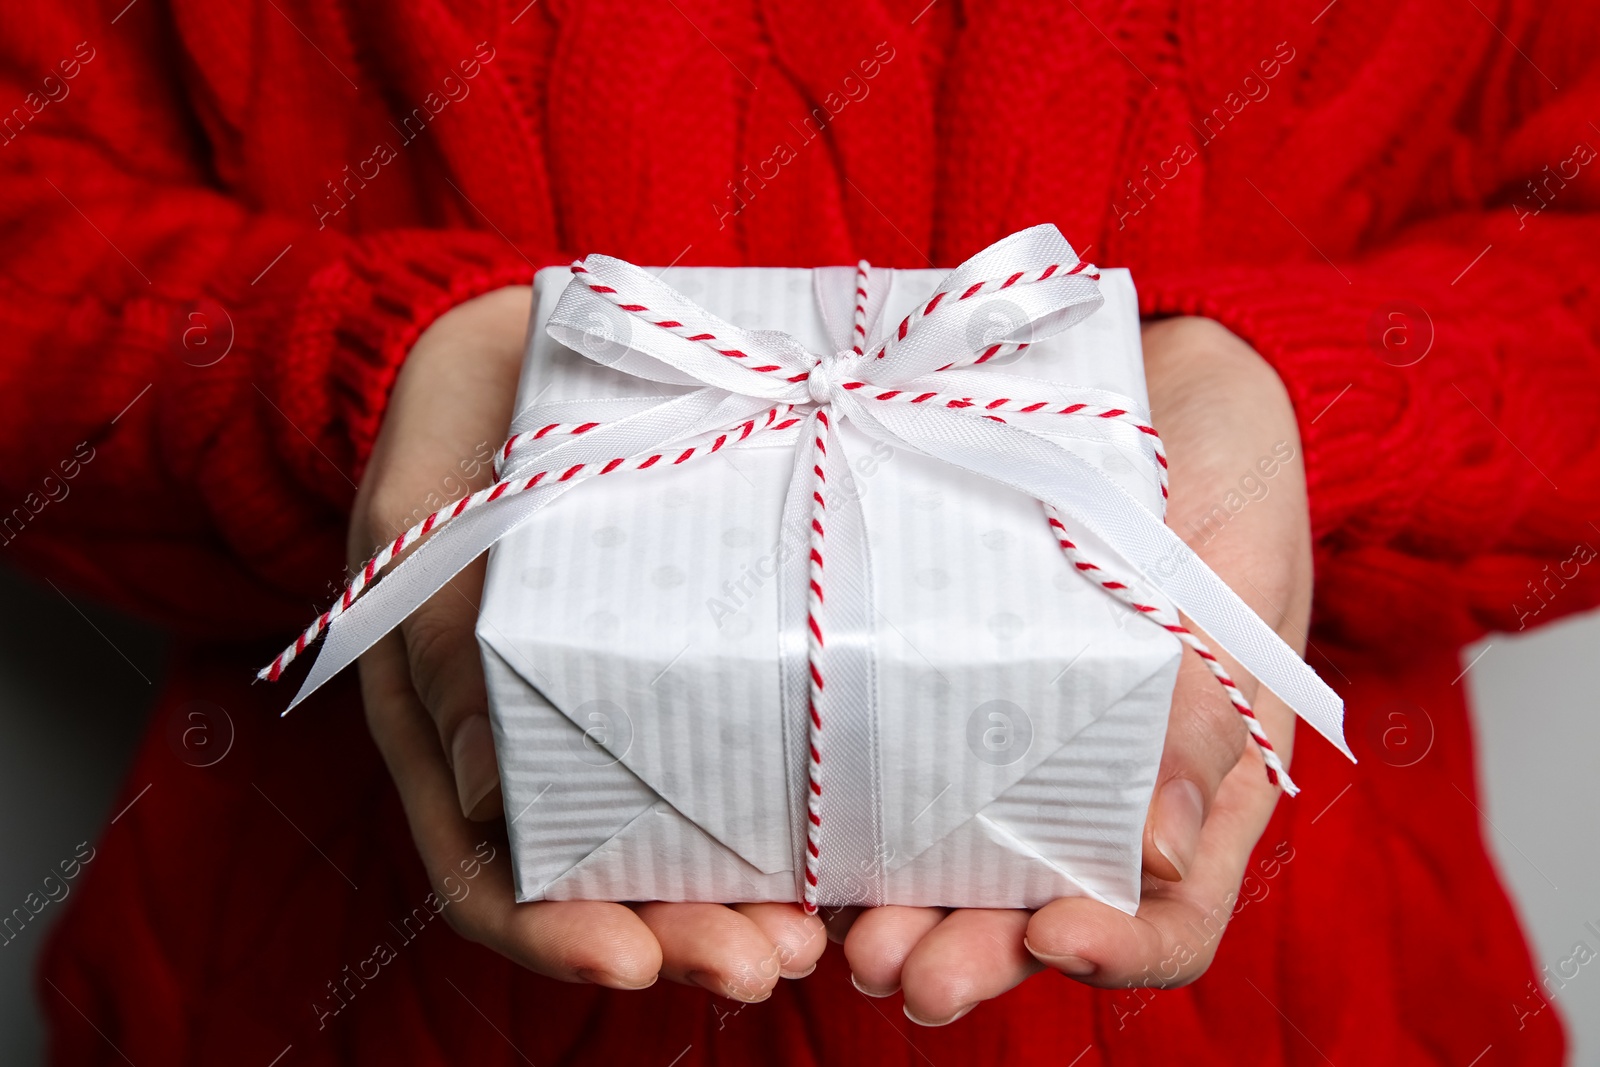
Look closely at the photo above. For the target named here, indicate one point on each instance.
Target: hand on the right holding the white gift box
(1226, 422)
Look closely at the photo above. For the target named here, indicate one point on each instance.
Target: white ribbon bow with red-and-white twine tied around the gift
(924, 386)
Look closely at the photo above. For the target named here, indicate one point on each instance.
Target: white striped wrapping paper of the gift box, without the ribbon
(631, 645)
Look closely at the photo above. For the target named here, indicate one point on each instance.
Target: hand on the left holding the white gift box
(428, 708)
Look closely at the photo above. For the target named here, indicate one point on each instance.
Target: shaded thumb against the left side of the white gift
(449, 677)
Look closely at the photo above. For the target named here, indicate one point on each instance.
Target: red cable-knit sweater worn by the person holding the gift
(225, 225)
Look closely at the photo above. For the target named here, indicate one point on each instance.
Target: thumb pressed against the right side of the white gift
(1206, 740)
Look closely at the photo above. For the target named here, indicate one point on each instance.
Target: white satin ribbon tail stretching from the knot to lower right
(1050, 473)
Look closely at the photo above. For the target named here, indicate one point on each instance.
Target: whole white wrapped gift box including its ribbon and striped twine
(839, 586)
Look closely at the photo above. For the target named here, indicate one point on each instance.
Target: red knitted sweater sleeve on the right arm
(1447, 375)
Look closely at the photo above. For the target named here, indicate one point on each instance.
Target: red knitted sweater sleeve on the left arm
(190, 385)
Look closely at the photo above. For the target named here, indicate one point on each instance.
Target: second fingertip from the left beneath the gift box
(714, 948)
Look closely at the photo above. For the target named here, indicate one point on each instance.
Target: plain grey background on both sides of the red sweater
(78, 682)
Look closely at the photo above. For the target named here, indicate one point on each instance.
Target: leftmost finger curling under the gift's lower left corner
(570, 941)
